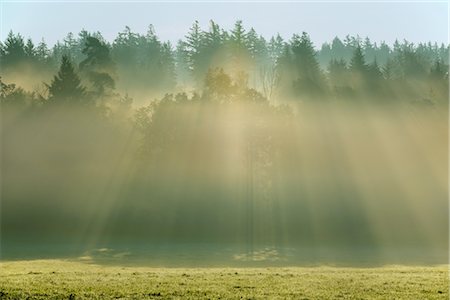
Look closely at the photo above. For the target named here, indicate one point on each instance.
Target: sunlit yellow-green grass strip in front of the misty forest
(61, 279)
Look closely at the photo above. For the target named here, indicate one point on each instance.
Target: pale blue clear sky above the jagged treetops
(379, 20)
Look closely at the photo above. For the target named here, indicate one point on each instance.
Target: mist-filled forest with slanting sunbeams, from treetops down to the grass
(225, 149)
